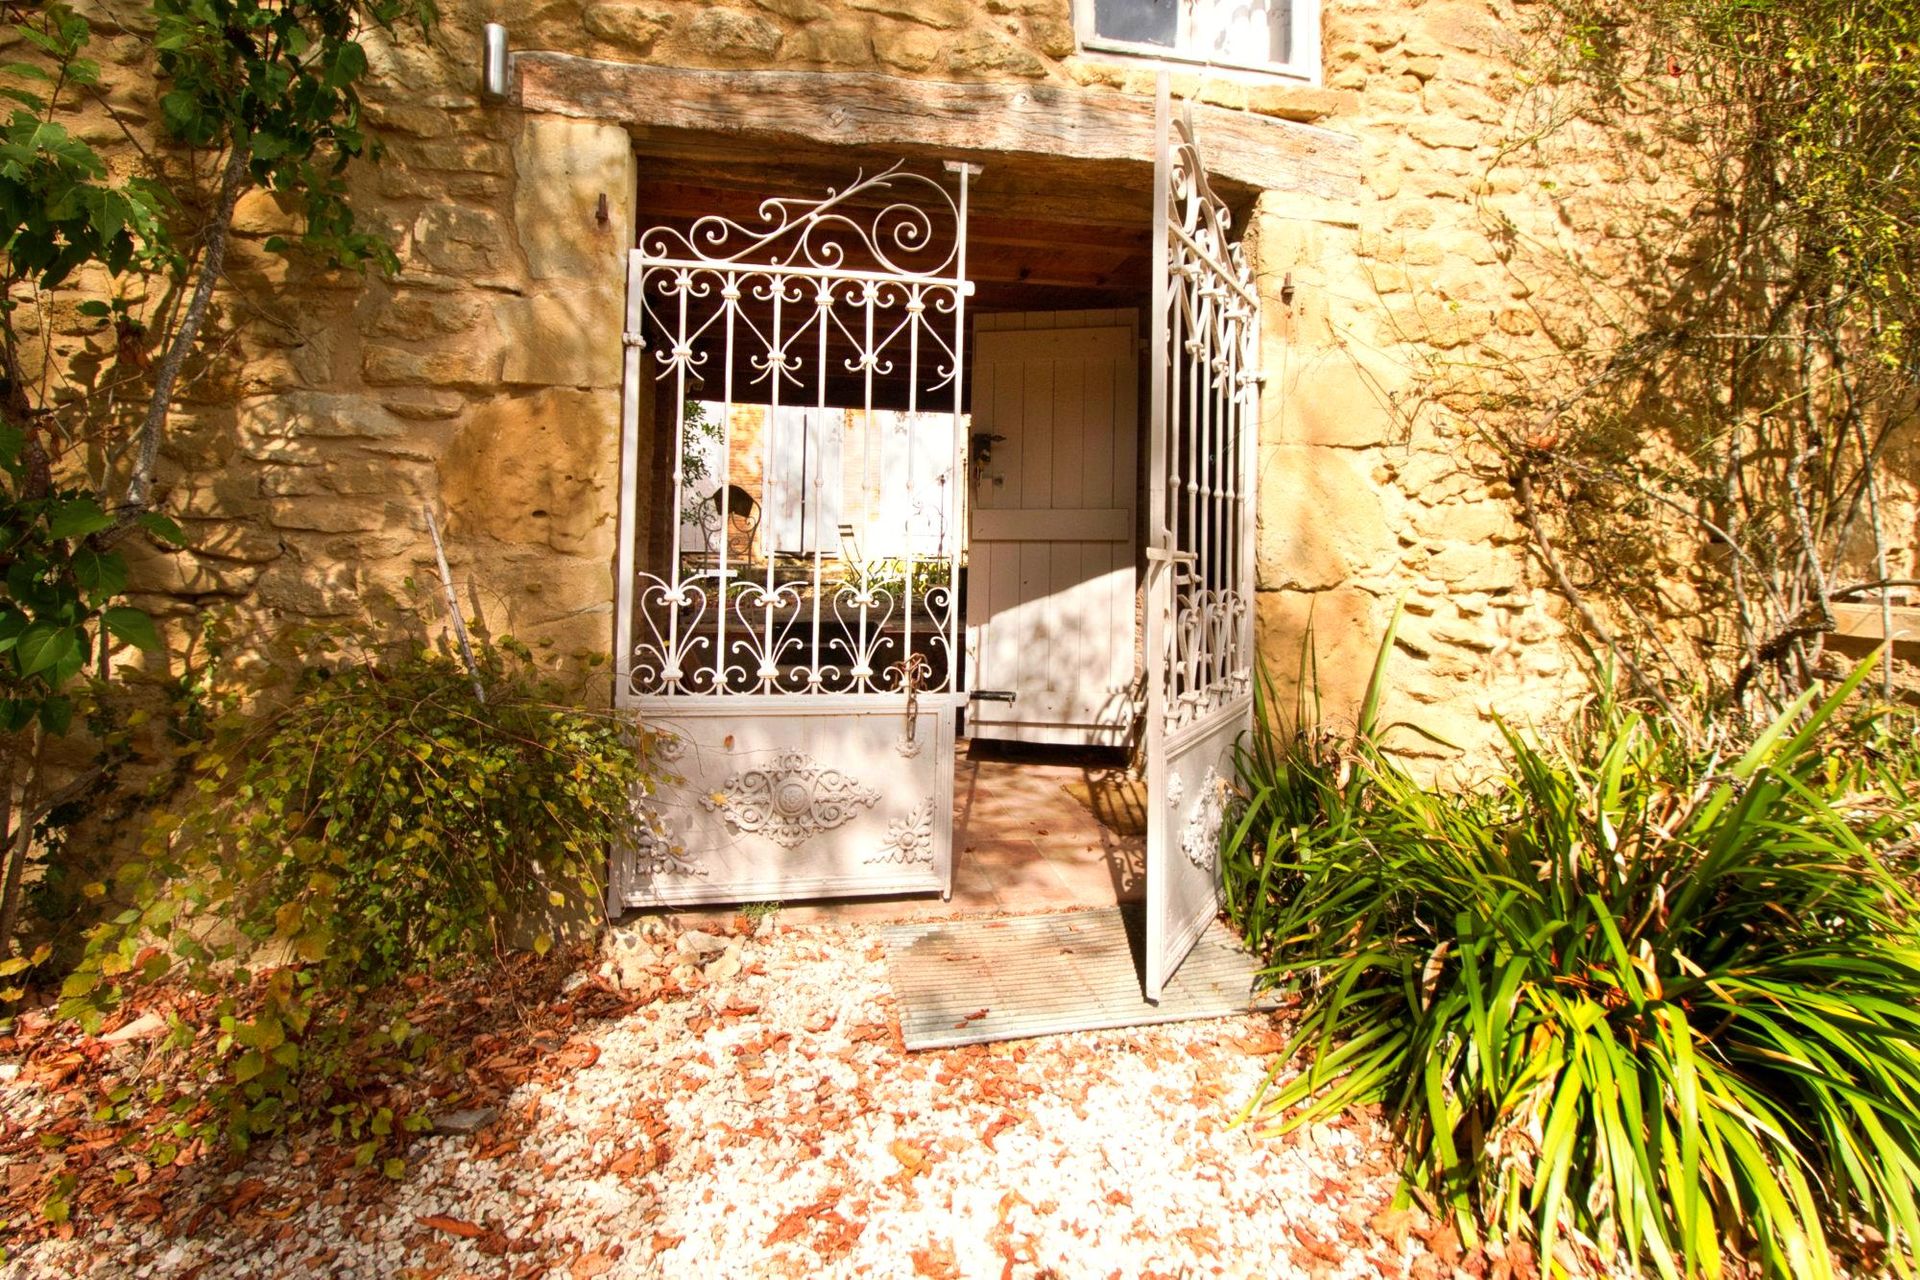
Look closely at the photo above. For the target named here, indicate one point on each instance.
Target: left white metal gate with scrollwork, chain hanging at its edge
(788, 621)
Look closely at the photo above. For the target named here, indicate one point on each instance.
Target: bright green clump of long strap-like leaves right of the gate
(1635, 995)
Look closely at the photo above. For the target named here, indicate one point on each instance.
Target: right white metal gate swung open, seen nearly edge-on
(1205, 423)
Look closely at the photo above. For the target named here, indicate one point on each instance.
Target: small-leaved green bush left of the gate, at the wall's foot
(379, 824)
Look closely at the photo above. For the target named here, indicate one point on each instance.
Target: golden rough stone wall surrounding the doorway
(485, 377)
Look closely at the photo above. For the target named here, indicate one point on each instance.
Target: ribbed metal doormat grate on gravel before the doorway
(971, 982)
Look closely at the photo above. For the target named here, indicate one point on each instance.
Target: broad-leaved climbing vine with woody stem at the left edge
(254, 95)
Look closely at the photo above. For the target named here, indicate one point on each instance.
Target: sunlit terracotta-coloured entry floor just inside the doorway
(1026, 840)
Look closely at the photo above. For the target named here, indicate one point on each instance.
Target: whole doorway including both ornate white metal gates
(940, 557)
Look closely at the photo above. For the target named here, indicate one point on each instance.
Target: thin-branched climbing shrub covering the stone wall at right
(1710, 454)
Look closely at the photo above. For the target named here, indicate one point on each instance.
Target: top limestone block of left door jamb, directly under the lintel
(564, 172)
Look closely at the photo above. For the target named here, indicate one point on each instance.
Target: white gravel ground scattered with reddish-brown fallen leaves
(769, 1126)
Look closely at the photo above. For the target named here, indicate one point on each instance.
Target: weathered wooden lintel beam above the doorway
(965, 122)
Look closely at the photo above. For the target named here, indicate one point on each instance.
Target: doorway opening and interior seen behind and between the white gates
(1034, 529)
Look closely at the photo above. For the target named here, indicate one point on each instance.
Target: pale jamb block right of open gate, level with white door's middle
(1322, 519)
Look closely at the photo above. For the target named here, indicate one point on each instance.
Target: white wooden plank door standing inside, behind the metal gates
(1051, 557)
